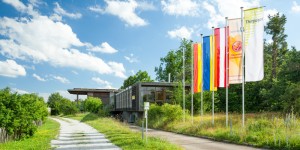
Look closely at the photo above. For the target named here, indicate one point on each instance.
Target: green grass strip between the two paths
(121, 135)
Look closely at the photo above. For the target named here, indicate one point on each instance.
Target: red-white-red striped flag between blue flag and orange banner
(220, 49)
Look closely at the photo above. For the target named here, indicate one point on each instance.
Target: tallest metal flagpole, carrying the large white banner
(243, 69)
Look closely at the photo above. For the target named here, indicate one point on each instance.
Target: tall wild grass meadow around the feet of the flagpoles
(270, 130)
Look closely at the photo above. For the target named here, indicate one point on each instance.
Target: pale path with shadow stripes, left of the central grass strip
(75, 135)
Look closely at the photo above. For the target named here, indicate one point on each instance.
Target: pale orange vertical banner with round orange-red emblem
(235, 51)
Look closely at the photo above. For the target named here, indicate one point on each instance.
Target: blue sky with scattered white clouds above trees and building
(52, 46)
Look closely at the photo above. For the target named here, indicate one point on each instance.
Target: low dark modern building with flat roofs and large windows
(129, 103)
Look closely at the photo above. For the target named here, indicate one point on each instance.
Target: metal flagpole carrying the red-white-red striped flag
(213, 83)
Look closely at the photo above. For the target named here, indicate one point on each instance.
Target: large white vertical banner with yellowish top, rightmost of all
(254, 30)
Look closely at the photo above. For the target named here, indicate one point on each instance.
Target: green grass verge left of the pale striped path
(39, 141)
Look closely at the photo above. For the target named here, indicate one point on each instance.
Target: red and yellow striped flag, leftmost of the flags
(197, 67)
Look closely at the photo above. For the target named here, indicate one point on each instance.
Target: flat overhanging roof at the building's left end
(85, 91)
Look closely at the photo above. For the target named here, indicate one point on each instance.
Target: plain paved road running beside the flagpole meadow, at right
(193, 143)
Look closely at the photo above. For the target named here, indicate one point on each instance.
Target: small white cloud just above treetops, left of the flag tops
(182, 32)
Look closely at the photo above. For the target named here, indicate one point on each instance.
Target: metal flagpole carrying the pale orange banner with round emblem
(227, 69)
